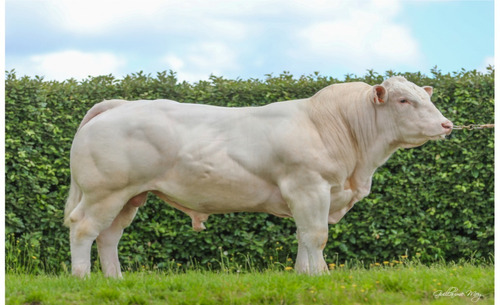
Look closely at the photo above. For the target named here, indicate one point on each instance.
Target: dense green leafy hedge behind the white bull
(433, 202)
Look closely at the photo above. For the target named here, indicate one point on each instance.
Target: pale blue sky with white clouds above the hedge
(60, 39)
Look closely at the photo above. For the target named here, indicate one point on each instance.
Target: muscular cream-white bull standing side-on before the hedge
(309, 159)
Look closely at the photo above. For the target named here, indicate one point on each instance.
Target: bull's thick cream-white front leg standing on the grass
(309, 201)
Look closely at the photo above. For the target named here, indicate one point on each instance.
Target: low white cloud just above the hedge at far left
(71, 64)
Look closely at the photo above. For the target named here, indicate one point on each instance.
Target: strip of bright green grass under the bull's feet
(381, 284)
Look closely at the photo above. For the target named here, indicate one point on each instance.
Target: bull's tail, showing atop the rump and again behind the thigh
(75, 193)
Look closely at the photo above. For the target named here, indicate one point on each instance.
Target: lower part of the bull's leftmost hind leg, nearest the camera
(86, 222)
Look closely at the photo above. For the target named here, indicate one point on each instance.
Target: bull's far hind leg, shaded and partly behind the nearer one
(107, 241)
